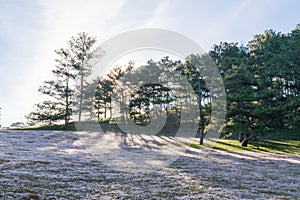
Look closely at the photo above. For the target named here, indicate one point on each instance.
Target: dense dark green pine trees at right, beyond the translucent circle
(262, 82)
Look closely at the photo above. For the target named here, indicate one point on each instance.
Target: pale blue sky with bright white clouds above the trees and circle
(31, 30)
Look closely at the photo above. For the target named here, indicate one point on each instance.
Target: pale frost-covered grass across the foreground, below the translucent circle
(53, 165)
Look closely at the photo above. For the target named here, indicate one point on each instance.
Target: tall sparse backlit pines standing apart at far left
(72, 63)
